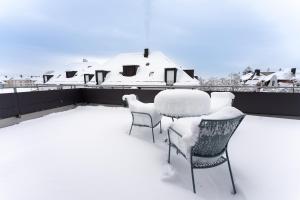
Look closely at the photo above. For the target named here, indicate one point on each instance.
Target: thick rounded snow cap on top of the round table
(182, 102)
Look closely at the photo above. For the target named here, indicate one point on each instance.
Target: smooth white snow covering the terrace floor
(86, 153)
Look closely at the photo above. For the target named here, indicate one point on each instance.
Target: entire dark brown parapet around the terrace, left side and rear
(15, 104)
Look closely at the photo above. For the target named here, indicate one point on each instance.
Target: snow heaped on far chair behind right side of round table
(220, 100)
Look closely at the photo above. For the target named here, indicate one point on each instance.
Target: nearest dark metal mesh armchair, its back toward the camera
(210, 145)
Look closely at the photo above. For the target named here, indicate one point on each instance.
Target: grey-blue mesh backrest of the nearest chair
(214, 136)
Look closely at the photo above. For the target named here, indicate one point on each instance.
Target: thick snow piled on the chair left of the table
(137, 106)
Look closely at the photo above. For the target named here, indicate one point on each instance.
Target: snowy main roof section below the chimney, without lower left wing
(150, 72)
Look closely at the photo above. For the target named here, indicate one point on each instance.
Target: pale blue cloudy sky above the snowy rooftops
(216, 37)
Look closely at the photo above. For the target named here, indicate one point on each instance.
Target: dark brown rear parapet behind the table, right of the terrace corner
(287, 104)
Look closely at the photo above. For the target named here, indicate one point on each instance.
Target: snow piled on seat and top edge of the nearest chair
(189, 127)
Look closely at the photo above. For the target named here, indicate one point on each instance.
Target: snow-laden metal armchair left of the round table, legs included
(143, 114)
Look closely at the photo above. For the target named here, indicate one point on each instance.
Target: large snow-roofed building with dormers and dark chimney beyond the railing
(130, 69)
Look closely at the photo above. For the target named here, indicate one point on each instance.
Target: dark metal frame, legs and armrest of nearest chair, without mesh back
(220, 160)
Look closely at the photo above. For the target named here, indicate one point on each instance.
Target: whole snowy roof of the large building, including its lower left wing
(150, 71)
